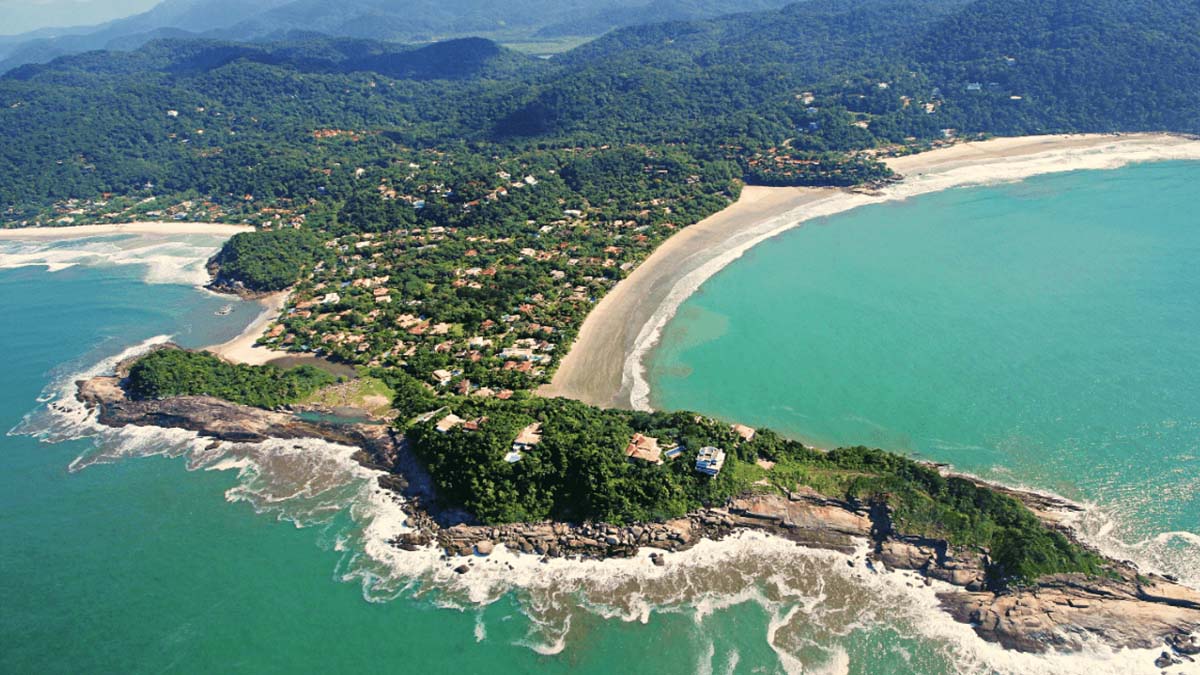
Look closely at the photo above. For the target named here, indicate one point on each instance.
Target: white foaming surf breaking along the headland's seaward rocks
(821, 612)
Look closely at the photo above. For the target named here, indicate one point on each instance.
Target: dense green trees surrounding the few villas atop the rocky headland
(579, 473)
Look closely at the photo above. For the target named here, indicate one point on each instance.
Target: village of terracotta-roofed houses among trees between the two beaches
(482, 310)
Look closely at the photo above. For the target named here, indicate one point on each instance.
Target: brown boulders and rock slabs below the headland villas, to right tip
(1125, 611)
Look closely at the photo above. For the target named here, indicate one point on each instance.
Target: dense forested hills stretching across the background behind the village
(880, 73)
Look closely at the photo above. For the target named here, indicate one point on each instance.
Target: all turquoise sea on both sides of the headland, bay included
(137, 552)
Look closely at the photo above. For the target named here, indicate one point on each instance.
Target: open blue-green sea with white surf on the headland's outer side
(141, 552)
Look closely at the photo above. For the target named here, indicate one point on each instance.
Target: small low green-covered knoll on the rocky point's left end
(177, 373)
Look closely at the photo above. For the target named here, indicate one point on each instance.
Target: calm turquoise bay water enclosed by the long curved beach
(1045, 333)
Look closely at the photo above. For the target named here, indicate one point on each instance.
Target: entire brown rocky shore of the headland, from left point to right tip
(1124, 610)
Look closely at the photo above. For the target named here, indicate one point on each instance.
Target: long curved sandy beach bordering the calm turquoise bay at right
(604, 367)
